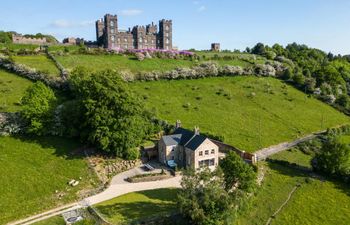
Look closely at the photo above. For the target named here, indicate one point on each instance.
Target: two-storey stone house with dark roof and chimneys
(185, 148)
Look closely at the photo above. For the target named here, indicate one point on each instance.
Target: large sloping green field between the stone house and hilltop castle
(249, 112)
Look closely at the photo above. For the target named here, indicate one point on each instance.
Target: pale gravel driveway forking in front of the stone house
(117, 188)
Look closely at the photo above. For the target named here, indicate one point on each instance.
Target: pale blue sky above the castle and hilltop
(236, 24)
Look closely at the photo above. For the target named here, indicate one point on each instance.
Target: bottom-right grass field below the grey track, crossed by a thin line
(315, 202)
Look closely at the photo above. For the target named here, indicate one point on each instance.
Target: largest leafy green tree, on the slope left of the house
(114, 119)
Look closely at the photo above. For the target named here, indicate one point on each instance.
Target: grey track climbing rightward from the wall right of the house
(266, 152)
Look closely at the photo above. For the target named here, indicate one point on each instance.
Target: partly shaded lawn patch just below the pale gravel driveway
(138, 205)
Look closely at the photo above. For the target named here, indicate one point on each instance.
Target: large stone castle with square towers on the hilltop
(110, 36)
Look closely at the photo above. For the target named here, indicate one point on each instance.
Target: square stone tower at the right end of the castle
(165, 35)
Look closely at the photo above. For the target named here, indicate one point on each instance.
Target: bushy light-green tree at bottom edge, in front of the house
(203, 198)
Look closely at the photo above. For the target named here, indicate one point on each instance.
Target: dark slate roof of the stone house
(185, 138)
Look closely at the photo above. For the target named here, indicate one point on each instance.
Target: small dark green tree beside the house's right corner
(237, 173)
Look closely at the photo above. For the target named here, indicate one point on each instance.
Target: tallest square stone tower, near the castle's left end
(110, 31)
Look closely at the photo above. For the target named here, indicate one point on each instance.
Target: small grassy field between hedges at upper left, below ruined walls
(40, 63)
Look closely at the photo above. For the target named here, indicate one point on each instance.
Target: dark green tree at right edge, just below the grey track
(333, 159)
